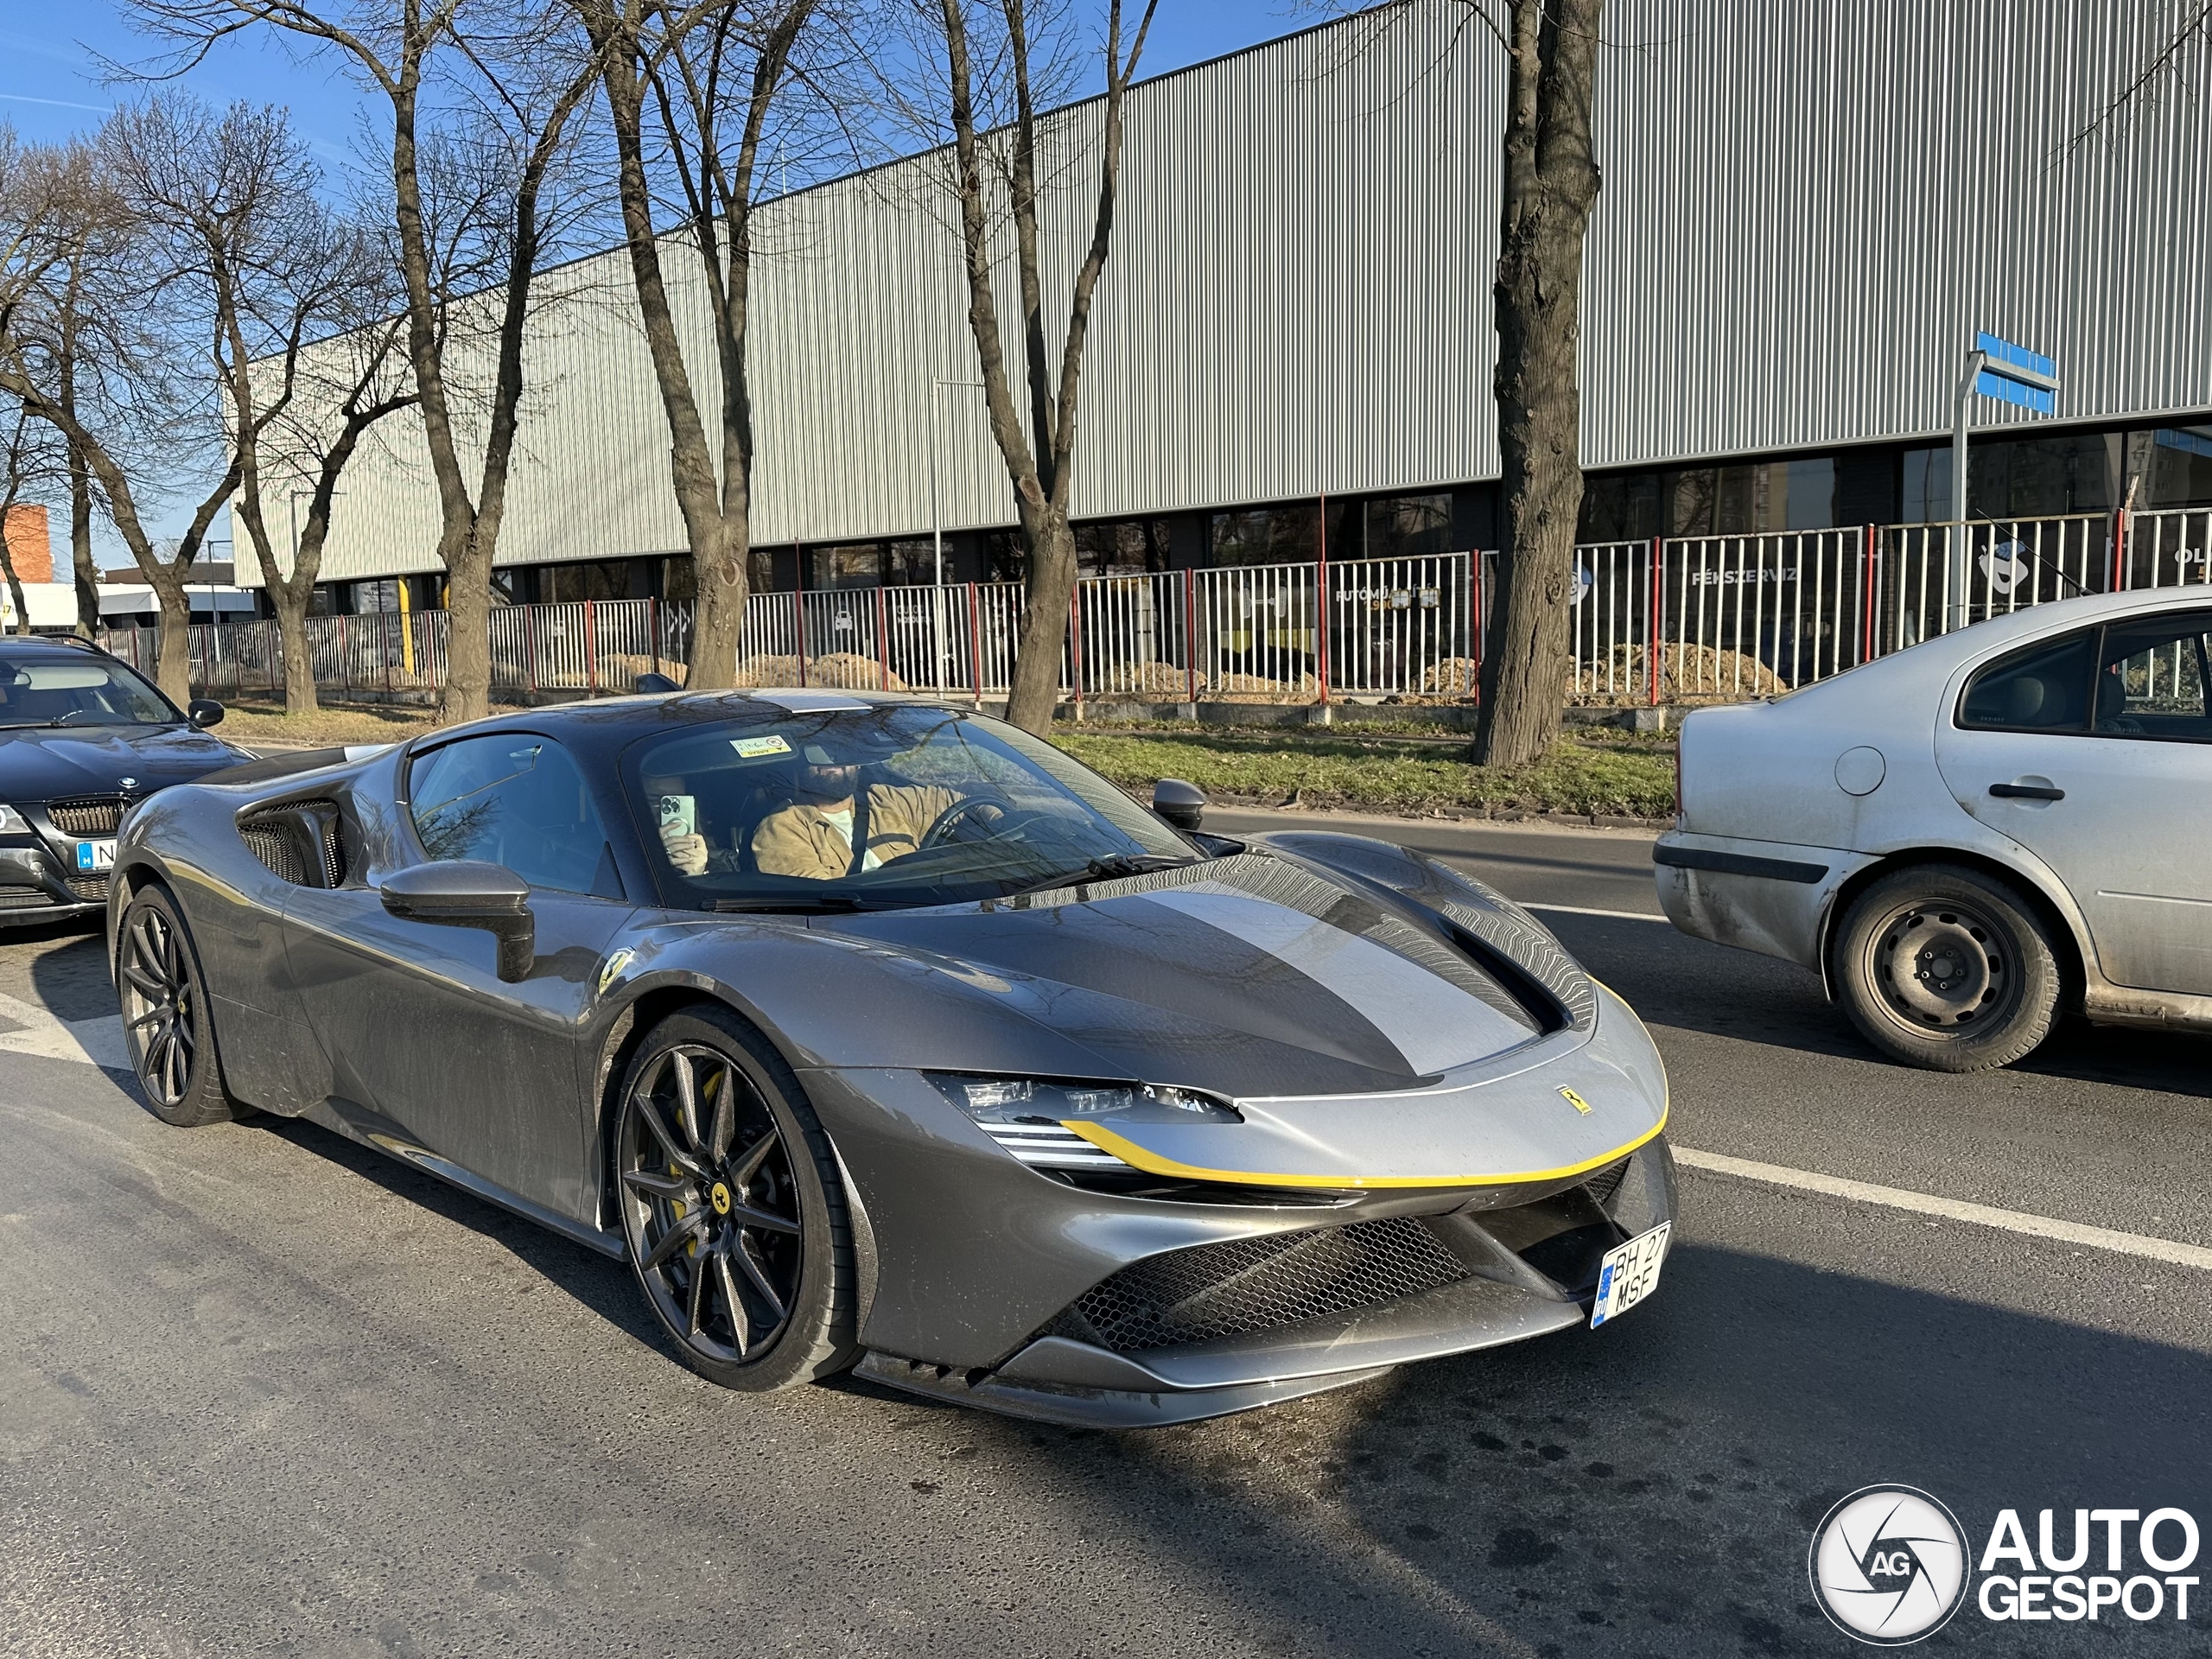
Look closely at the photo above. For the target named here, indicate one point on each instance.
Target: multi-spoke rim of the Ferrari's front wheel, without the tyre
(711, 1204)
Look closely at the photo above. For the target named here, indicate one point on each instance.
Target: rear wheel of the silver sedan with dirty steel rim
(1945, 968)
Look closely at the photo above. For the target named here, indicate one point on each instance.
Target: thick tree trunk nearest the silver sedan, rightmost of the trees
(1550, 194)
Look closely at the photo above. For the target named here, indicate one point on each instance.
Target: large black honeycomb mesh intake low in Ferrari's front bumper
(1253, 1286)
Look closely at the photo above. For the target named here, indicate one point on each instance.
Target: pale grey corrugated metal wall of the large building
(1804, 220)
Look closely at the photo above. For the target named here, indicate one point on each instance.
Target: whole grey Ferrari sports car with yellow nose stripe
(877, 1034)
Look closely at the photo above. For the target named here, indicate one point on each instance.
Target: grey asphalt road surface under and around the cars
(269, 1395)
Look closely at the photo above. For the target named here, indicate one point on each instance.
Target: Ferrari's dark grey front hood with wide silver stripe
(1244, 977)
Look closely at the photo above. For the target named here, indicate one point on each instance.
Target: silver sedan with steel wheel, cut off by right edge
(1976, 835)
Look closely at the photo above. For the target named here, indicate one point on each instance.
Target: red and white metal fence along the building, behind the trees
(1709, 618)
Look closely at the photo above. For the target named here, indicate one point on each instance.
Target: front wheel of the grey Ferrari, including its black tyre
(733, 1207)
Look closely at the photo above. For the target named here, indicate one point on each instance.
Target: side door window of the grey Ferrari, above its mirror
(514, 800)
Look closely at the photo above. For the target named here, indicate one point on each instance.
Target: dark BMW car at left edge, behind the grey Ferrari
(83, 740)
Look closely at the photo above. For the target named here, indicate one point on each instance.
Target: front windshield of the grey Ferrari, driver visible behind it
(873, 808)
